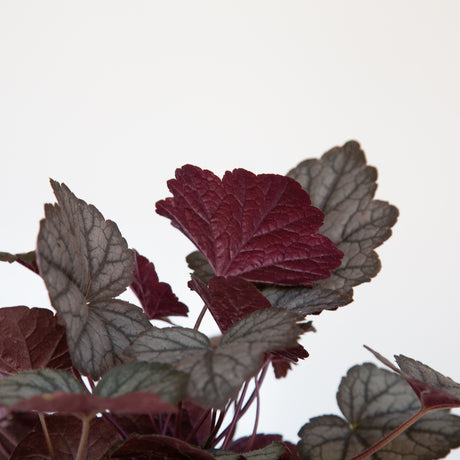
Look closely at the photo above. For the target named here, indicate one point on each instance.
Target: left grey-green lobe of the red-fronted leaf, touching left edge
(25, 385)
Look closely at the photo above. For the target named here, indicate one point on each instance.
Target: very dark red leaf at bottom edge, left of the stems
(159, 445)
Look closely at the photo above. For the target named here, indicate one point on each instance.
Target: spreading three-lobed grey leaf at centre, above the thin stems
(217, 374)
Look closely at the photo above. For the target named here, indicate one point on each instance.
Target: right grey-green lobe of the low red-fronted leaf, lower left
(161, 379)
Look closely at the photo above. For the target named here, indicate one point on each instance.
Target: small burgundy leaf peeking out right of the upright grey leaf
(157, 299)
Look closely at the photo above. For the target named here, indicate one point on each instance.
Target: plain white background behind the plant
(110, 97)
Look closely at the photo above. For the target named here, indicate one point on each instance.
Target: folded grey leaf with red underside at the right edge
(433, 389)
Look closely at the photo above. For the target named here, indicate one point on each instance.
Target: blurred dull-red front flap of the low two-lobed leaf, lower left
(131, 403)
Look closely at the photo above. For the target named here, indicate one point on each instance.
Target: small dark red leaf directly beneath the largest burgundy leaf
(230, 299)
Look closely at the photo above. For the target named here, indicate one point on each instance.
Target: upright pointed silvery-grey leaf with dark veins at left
(85, 263)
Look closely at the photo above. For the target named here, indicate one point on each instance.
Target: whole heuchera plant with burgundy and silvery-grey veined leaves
(103, 378)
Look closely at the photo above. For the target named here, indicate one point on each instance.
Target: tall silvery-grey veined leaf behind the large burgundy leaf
(342, 185)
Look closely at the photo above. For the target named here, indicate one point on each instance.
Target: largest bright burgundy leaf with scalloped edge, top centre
(262, 227)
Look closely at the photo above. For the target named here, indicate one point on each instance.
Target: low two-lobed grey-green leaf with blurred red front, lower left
(133, 388)
